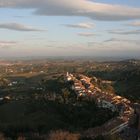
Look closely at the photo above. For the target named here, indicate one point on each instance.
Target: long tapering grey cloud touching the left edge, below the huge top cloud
(17, 27)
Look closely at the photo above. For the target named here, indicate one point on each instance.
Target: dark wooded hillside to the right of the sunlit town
(125, 77)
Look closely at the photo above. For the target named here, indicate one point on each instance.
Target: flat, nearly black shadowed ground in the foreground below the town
(42, 116)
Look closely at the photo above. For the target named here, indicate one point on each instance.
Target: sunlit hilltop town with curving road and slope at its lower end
(83, 87)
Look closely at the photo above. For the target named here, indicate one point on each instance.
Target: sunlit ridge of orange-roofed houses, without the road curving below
(83, 87)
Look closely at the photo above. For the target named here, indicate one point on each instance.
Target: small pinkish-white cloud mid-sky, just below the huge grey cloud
(81, 25)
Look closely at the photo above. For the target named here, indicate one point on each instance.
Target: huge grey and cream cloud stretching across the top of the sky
(93, 10)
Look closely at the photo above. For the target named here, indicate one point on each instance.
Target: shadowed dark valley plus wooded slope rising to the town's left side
(53, 108)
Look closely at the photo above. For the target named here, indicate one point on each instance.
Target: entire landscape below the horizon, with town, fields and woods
(85, 99)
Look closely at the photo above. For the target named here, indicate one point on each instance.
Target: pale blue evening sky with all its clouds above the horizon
(103, 28)
